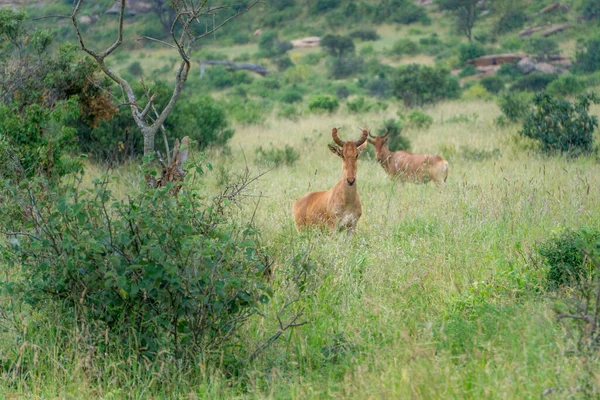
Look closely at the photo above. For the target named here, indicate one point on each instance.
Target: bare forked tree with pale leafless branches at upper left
(183, 37)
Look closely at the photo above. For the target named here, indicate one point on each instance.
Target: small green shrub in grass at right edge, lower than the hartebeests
(564, 256)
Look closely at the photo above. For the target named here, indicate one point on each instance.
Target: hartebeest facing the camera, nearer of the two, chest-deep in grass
(338, 207)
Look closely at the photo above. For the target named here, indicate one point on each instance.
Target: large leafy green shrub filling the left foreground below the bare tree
(153, 271)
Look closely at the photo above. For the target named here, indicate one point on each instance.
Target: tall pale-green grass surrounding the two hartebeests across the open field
(438, 294)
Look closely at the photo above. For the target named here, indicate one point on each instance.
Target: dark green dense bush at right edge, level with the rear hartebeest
(559, 125)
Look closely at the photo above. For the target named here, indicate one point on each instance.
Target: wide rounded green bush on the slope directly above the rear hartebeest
(418, 84)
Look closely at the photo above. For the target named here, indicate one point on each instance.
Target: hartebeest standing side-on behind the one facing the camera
(407, 166)
